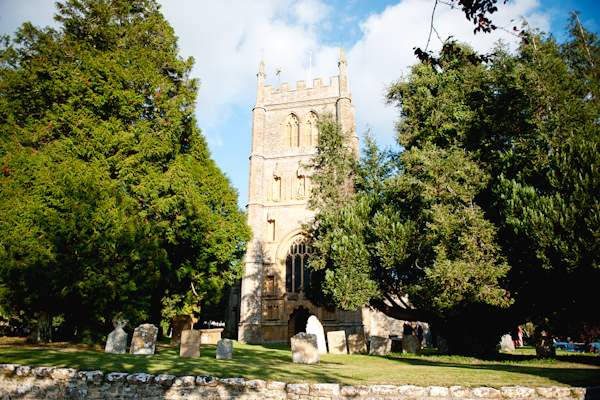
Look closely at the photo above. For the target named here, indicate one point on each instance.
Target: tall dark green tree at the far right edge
(530, 121)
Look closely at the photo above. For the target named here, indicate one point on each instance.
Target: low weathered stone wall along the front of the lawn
(23, 382)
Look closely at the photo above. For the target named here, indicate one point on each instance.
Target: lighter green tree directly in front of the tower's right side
(409, 241)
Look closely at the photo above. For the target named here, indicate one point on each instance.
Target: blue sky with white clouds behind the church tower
(226, 38)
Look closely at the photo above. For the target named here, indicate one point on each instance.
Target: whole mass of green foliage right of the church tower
(499, 166)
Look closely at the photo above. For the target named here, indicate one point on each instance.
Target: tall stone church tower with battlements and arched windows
(284, 137)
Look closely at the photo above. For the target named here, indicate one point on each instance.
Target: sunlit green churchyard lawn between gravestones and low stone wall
(273, 363)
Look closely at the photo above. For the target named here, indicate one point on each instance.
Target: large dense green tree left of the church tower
(108, 194)
